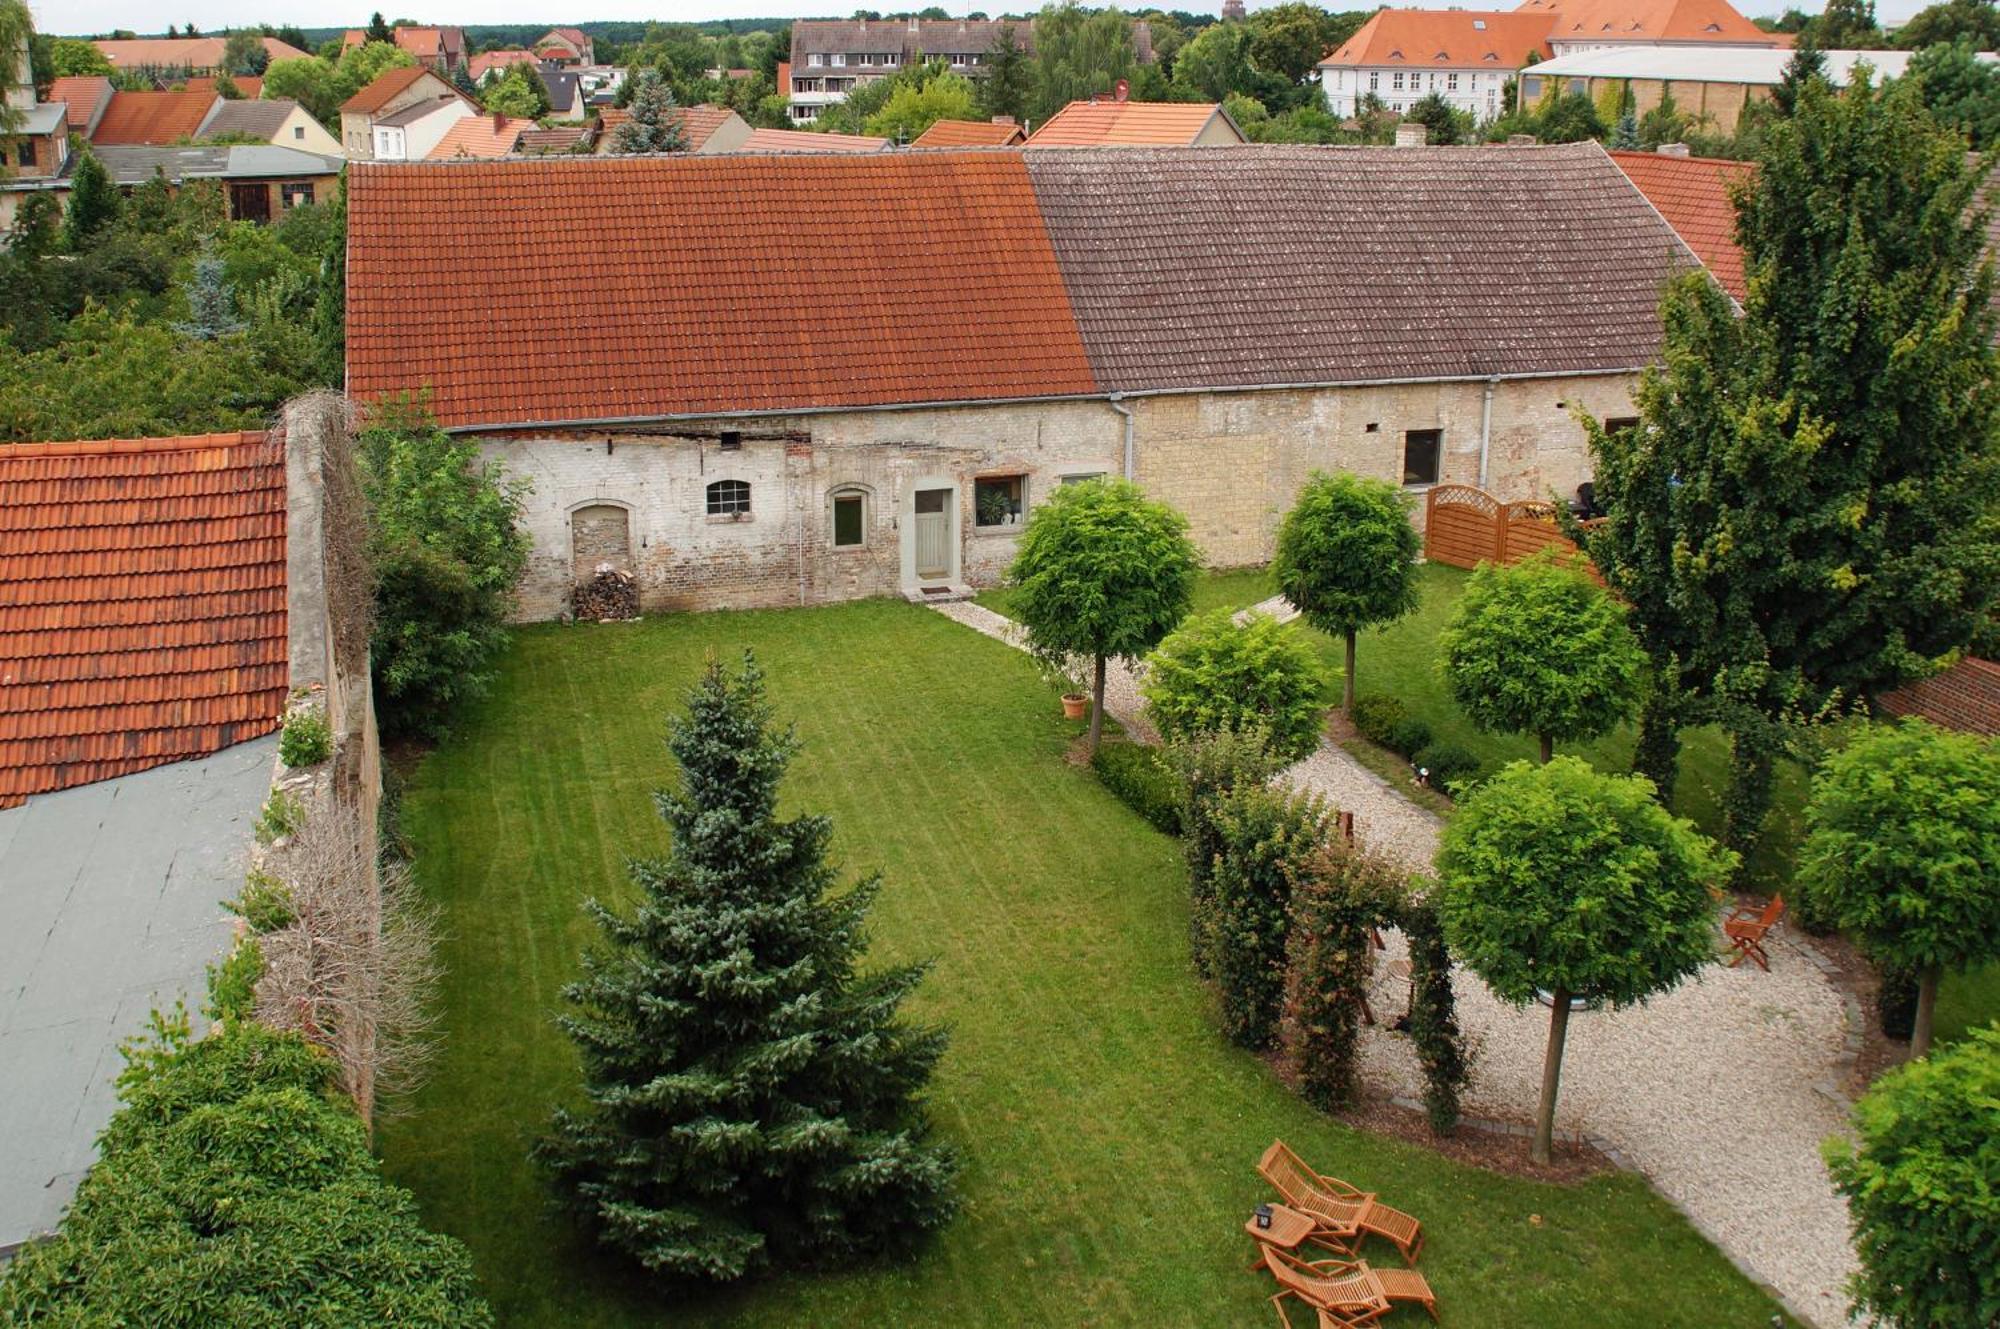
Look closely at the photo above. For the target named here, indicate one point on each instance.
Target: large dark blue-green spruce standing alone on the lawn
(751, 1094)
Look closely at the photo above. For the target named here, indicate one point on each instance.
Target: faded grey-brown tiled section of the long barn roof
(1211, 267)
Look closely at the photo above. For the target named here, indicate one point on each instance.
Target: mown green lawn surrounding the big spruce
(1109, 1134)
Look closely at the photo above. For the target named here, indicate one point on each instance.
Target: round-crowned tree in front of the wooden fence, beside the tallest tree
(1539, 649)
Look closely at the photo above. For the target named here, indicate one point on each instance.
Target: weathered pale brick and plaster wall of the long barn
(1231, 461)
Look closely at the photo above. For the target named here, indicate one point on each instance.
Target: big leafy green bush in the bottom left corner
(231, 1188)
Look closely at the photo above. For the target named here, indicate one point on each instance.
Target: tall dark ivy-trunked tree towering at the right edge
(1811, 507)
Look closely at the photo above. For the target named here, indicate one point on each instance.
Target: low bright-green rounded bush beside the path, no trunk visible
(1217, 674)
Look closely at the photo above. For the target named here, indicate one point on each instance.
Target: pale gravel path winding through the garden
(1719, 1092)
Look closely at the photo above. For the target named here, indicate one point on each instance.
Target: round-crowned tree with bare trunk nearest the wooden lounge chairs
(1565, 884)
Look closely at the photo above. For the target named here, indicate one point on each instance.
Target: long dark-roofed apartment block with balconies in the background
(835, 57)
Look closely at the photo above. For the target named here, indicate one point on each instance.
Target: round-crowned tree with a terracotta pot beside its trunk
(1101, 573)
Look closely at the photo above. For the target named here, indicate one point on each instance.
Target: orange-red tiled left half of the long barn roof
(679, 313)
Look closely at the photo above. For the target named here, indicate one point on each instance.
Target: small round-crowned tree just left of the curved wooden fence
(1347, 559)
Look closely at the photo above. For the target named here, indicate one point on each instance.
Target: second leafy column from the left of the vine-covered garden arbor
(1269, 836)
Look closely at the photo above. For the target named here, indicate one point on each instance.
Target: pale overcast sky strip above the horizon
(215, 15)
